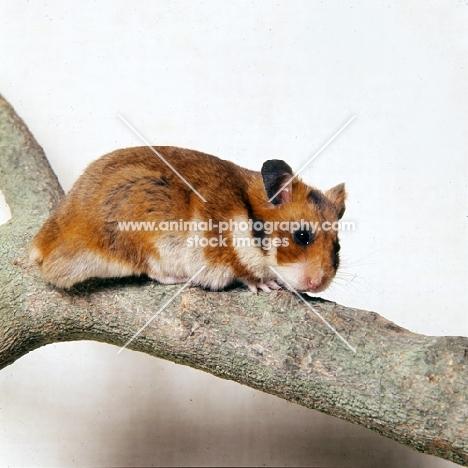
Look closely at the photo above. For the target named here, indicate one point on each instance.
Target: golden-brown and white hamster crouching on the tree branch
(131, 214)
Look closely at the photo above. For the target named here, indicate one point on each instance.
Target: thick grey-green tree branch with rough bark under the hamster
(409, 387)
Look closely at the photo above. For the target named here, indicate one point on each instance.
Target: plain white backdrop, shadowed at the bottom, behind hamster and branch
(247, 81)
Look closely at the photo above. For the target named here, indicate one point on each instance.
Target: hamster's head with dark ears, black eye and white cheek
(305, 221)
